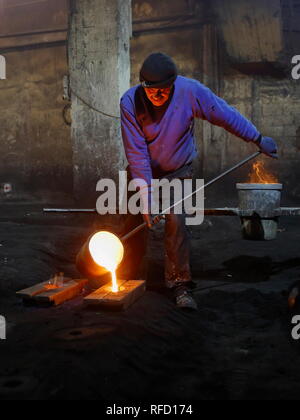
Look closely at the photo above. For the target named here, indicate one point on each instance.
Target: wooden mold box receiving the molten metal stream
(129, 292)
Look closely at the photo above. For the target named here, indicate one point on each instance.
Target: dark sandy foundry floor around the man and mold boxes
(238, 346)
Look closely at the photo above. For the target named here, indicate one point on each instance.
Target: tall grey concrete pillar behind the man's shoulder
(99, 65)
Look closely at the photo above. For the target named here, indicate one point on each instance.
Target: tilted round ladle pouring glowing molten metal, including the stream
(101, 254)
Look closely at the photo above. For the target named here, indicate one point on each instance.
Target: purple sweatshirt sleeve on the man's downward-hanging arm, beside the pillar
(135, 146)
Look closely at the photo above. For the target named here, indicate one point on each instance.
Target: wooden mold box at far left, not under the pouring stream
(39, 293)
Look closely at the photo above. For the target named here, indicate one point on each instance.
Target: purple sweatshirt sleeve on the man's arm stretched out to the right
(210, 107)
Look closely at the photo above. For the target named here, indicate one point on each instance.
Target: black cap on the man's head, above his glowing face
(158, 71)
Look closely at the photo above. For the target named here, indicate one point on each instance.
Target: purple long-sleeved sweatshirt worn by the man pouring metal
(160, 143)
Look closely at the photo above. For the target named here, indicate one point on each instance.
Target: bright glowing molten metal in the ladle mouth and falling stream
(107, 251)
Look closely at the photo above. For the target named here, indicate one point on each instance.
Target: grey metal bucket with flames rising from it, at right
(259, 206)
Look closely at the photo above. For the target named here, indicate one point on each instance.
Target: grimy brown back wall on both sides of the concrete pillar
(35, 142)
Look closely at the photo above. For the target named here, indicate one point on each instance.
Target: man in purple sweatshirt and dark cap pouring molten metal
(157, 118)
